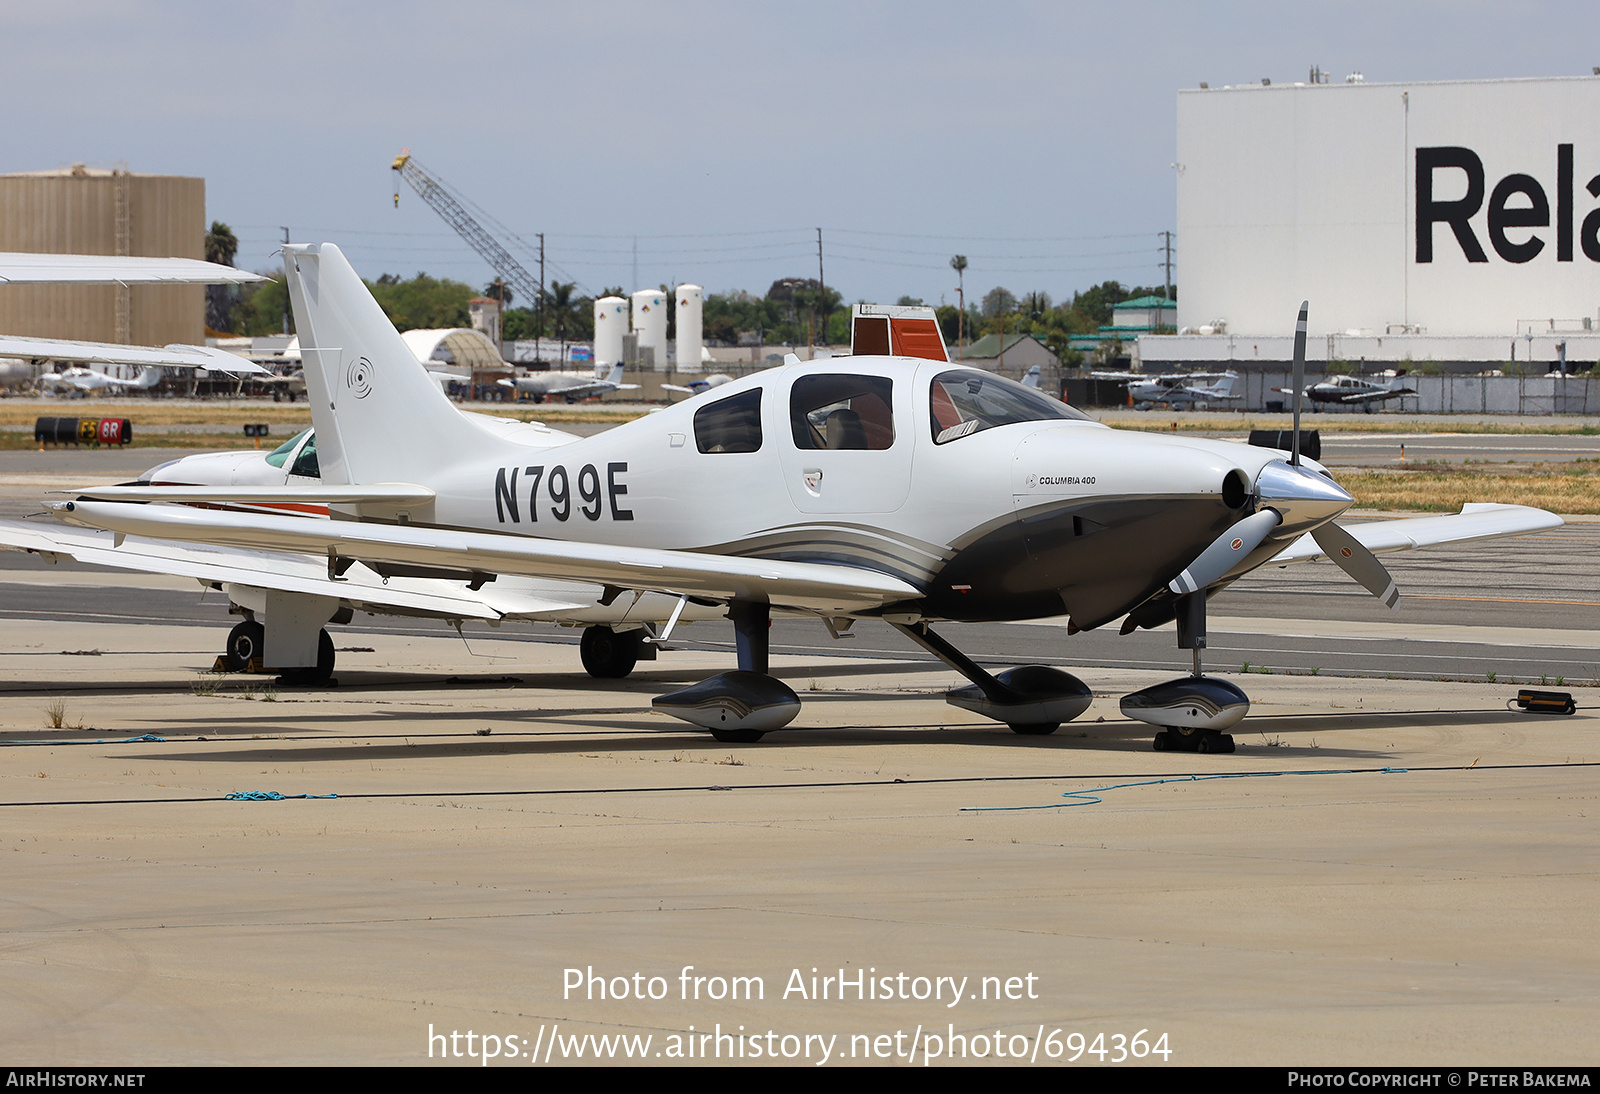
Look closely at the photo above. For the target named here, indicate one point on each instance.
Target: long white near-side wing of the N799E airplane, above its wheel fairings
(823, 588)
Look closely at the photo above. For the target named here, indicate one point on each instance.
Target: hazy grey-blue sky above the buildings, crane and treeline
(1036, 138)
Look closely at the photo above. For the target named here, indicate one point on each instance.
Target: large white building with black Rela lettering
(1446, 225)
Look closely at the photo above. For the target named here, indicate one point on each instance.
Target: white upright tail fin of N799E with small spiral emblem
(380, 418)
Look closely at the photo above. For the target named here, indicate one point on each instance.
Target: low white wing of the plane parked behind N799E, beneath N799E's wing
(359, 586)
